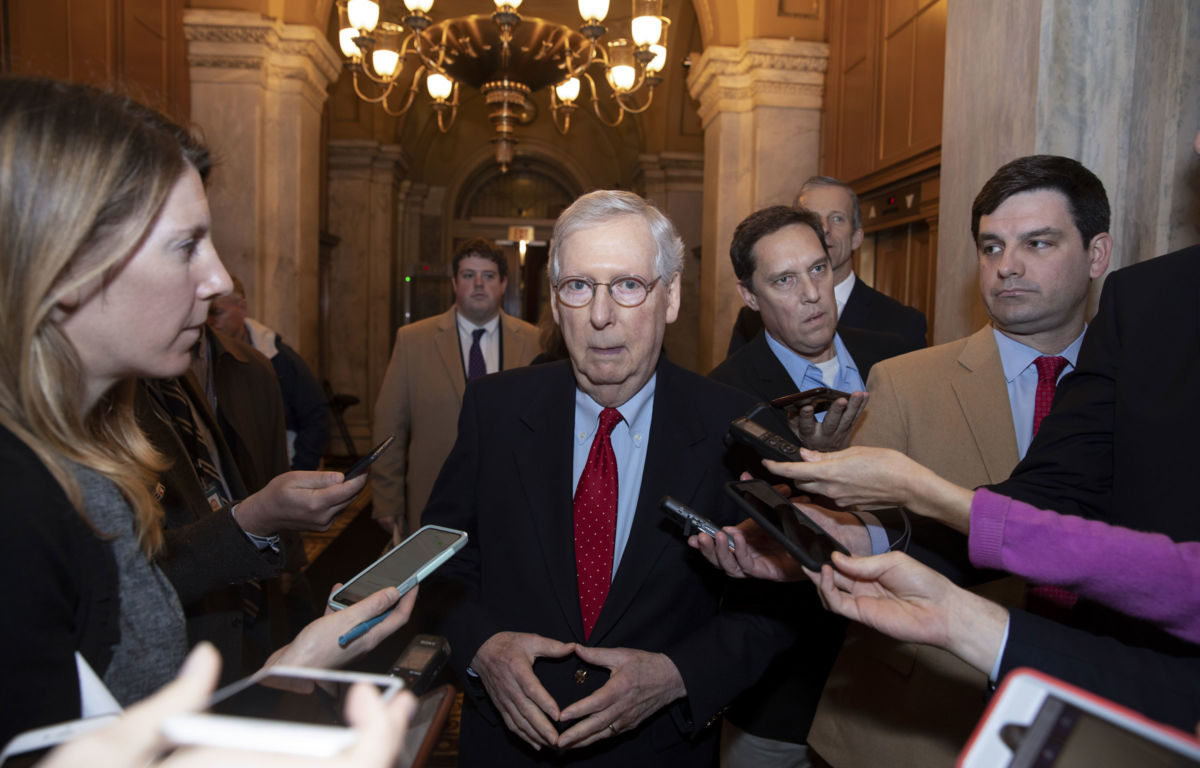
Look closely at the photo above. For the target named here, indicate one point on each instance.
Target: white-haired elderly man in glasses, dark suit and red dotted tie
(584, 628)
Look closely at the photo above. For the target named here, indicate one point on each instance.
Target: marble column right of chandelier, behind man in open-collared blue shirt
(760, 105)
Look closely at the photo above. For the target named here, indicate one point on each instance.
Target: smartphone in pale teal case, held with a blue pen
(404, 566)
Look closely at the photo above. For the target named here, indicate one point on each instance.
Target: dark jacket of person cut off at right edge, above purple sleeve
(1120, 443)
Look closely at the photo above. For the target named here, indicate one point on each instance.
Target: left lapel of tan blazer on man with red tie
(980, 388)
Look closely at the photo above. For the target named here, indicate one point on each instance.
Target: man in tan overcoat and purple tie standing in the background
(429, 370)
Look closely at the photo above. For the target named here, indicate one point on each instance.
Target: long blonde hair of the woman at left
(83, 178)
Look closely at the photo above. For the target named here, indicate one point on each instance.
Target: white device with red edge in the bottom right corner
(1040, 722)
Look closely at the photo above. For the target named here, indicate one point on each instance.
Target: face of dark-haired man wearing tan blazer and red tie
(1035, 268)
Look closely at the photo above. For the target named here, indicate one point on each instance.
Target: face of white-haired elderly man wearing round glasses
(615, 350)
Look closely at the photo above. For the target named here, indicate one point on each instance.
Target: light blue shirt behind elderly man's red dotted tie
(629, 441)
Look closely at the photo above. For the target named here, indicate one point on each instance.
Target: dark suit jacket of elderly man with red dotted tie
(508, 483)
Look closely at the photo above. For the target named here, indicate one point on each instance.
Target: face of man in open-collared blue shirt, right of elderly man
(793, 287)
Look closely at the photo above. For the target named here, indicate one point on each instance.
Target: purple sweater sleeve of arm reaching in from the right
(1145, 575)
